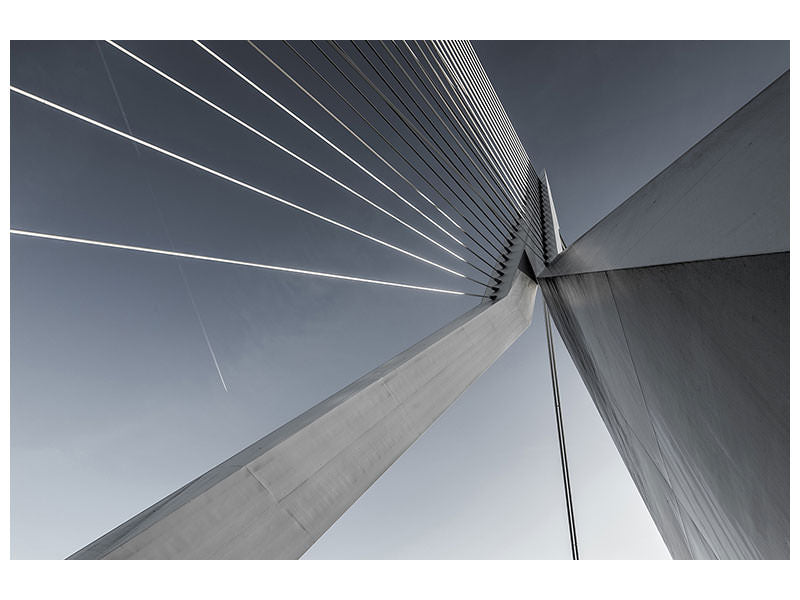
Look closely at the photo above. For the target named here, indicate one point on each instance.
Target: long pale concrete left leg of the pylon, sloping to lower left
(276, 497)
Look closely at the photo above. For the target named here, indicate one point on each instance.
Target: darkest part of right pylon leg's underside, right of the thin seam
(710, 342)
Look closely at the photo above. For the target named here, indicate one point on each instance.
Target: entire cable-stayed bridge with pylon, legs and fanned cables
(484, 221)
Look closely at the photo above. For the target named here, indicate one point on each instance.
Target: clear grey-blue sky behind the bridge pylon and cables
(115, 398)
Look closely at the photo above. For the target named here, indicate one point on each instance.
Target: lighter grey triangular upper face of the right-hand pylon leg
(726, 196)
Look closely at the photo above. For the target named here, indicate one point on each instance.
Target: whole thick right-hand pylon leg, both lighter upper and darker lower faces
(675, 309)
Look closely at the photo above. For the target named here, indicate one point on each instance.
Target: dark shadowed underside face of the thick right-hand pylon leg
(688, 366)
